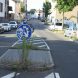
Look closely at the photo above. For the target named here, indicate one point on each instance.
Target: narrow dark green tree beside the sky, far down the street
(46, 8)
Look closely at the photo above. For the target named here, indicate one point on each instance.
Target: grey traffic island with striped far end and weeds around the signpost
(38, 57)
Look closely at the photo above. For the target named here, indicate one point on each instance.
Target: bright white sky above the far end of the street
(34, 4)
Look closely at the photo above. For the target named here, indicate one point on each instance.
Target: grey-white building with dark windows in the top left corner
(4, 10)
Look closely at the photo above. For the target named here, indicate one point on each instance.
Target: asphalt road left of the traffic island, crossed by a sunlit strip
(6, 40)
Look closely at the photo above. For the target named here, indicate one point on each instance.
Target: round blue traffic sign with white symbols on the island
(23, 31)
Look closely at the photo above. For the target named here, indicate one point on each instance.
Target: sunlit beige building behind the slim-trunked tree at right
(71, 15)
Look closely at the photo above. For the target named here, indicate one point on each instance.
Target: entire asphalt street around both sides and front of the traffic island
(64, 53)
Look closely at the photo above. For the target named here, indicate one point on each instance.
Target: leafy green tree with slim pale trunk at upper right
(65, 6)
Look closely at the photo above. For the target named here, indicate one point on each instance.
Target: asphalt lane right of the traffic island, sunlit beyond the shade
(64, 52)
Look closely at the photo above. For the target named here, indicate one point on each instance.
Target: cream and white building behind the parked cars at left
(16, 13)
